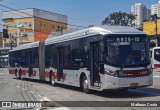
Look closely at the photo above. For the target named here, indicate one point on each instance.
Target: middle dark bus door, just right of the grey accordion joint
(60, 63)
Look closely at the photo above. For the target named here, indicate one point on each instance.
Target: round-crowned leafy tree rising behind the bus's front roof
(119, 18)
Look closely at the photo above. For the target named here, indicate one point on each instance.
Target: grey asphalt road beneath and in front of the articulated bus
(12, 89)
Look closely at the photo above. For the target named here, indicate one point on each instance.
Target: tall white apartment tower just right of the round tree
(141, 14)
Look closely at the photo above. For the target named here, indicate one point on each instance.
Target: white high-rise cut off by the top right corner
(155, 9)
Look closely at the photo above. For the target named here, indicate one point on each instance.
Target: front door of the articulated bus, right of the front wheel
(94, 53)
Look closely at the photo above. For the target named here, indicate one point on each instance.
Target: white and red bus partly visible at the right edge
(155, 58)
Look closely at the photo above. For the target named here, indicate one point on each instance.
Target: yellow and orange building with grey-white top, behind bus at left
(30, 25)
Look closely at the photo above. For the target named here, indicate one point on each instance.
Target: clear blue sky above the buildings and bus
(79, 12)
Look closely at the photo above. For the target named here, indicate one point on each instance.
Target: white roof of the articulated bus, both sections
(84, 33)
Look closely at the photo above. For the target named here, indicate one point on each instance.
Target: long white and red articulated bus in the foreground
(96, 58)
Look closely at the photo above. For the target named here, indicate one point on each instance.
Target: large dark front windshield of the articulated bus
(127, 50)
